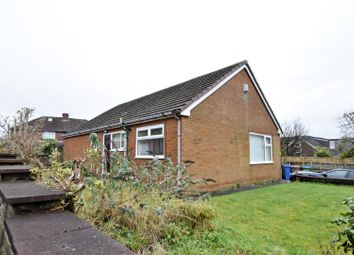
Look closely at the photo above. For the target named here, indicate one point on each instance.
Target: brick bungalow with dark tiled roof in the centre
(221, 121)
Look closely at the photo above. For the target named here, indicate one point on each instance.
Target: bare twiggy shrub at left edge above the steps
(21, 137)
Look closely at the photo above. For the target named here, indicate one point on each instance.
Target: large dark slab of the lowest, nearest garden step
(58, 233)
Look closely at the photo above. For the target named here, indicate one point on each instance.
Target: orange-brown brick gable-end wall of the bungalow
(216, 136)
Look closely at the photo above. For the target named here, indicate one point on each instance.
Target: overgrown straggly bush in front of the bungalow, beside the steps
(148, 208)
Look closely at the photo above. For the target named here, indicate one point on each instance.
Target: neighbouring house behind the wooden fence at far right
(306, 146)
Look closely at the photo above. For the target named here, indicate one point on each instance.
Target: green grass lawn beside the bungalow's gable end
(282, 219)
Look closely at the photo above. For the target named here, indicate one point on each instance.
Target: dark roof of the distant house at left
(58, 124)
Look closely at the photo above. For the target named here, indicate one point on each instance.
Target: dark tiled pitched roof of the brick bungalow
(161, 104)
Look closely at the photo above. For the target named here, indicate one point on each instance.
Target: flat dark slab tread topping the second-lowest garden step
(28, 192)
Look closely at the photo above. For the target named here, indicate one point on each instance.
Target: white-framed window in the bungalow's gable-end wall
(260, 149)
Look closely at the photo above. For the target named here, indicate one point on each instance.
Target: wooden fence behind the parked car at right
(319, 164)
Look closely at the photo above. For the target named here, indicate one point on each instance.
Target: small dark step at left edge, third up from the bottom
(15, 172)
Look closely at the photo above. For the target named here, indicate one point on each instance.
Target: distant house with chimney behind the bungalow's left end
(56, 127)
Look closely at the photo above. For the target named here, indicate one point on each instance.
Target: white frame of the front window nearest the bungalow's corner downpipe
(149, 137)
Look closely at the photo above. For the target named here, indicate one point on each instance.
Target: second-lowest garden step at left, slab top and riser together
(29, 196)
